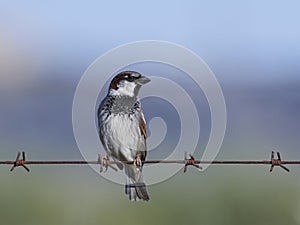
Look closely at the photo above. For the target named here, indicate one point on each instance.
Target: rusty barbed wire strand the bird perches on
(104, 162)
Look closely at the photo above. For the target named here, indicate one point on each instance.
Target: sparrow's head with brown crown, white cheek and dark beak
(127, 83)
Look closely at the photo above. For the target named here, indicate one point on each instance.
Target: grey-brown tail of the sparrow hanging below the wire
(135, 187)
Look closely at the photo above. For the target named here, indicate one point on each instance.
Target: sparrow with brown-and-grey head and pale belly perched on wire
(122, 130)
